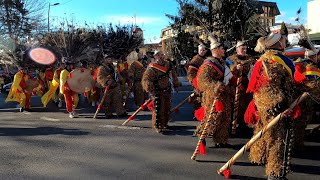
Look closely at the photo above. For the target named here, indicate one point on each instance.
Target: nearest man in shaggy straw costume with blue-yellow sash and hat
(272, 85)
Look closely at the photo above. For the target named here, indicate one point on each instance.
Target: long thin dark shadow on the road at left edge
(40, 131)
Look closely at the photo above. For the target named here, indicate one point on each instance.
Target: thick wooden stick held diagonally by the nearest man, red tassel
(257, 136)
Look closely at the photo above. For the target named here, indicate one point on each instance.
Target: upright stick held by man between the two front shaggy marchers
(236, 105)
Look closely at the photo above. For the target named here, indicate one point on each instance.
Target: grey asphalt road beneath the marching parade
(47, 144)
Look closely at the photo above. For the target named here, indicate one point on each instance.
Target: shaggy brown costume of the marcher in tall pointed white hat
(209, 81)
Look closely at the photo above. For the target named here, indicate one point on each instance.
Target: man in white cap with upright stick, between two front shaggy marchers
(241, 65)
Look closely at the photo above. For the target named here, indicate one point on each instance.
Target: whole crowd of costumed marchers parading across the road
(232, 95)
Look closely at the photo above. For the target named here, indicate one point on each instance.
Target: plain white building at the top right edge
(313, 14)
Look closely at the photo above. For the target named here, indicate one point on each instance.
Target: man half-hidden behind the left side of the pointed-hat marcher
(192, 69)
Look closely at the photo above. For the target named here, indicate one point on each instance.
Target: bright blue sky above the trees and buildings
(149, 15)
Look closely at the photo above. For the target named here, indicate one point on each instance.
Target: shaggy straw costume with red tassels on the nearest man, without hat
(272, 86)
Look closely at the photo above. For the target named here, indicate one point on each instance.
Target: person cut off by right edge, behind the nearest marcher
(307, 75)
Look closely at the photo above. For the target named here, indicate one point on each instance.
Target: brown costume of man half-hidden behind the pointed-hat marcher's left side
(193, 67)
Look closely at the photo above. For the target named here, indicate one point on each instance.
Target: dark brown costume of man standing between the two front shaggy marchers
(245, 98)
